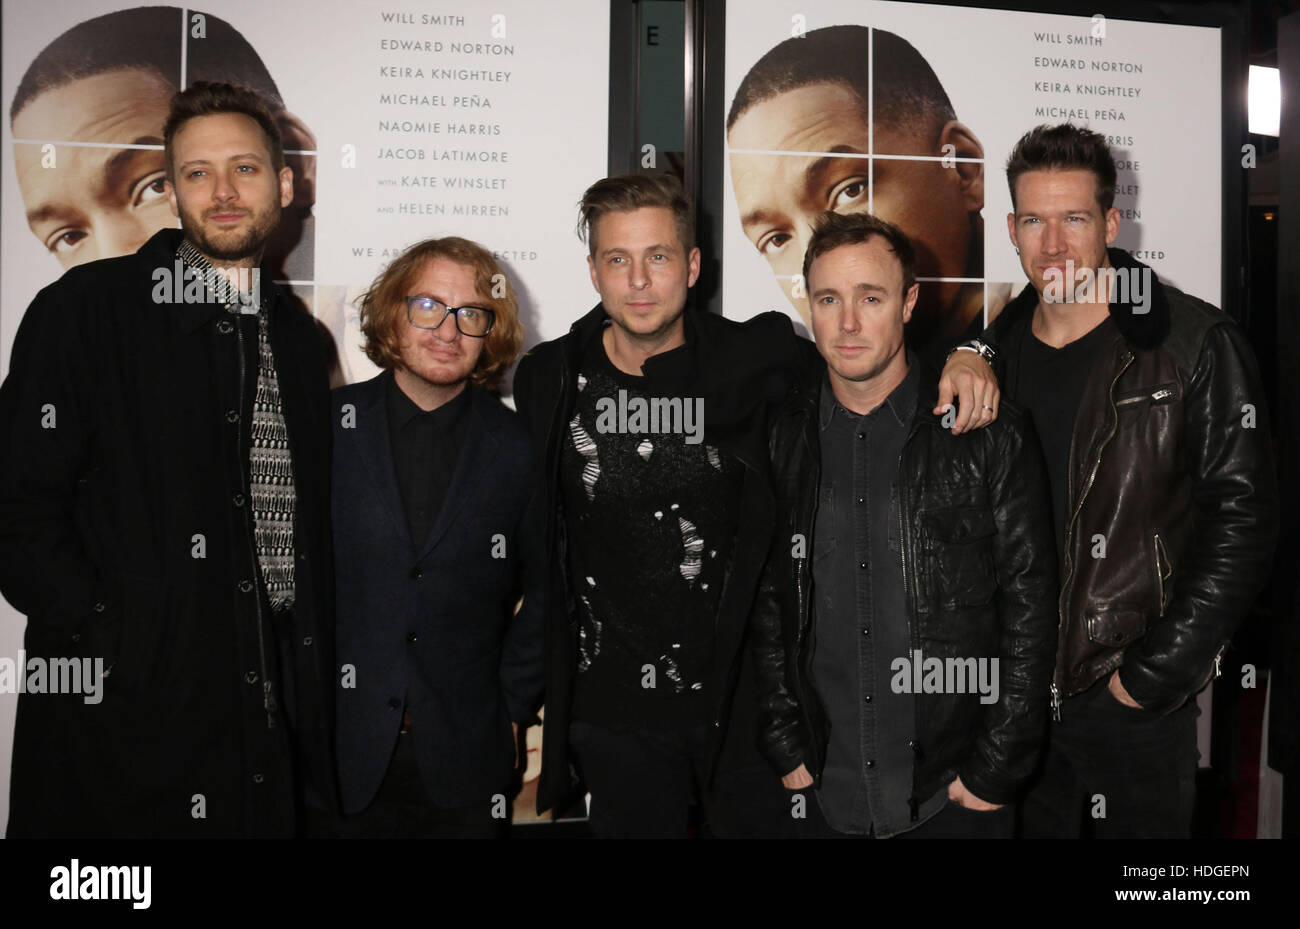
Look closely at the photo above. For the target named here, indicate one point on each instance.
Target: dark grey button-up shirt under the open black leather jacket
(861, 614)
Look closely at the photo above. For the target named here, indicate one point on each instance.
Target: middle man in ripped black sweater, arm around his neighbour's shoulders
(649, 423)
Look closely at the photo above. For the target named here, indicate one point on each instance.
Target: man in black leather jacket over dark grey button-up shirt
(905, 558)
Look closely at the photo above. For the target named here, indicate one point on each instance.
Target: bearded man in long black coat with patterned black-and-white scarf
(164, 515)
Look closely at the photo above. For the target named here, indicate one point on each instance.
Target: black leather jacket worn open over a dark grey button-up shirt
(980, 574)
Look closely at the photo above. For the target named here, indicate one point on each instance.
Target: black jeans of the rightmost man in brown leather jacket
(1132, 771)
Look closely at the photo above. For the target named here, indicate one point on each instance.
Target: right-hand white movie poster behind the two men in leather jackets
(911, 112)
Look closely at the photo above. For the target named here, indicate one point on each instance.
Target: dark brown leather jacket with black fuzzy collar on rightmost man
(1173, 502)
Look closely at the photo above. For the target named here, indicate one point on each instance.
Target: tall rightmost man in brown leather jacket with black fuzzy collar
(1151, 414)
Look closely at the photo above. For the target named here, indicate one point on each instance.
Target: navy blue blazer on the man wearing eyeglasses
(431, 623)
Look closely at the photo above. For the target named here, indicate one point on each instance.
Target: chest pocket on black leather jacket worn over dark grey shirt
(963, 565)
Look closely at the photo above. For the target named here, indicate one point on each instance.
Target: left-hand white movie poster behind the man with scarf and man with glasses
(400, 124)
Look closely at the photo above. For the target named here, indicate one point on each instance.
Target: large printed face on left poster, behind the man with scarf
(88, 98)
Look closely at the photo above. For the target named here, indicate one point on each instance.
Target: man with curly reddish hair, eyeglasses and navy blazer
(435, 542)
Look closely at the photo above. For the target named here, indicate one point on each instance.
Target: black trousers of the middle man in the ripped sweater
(644, 782)
